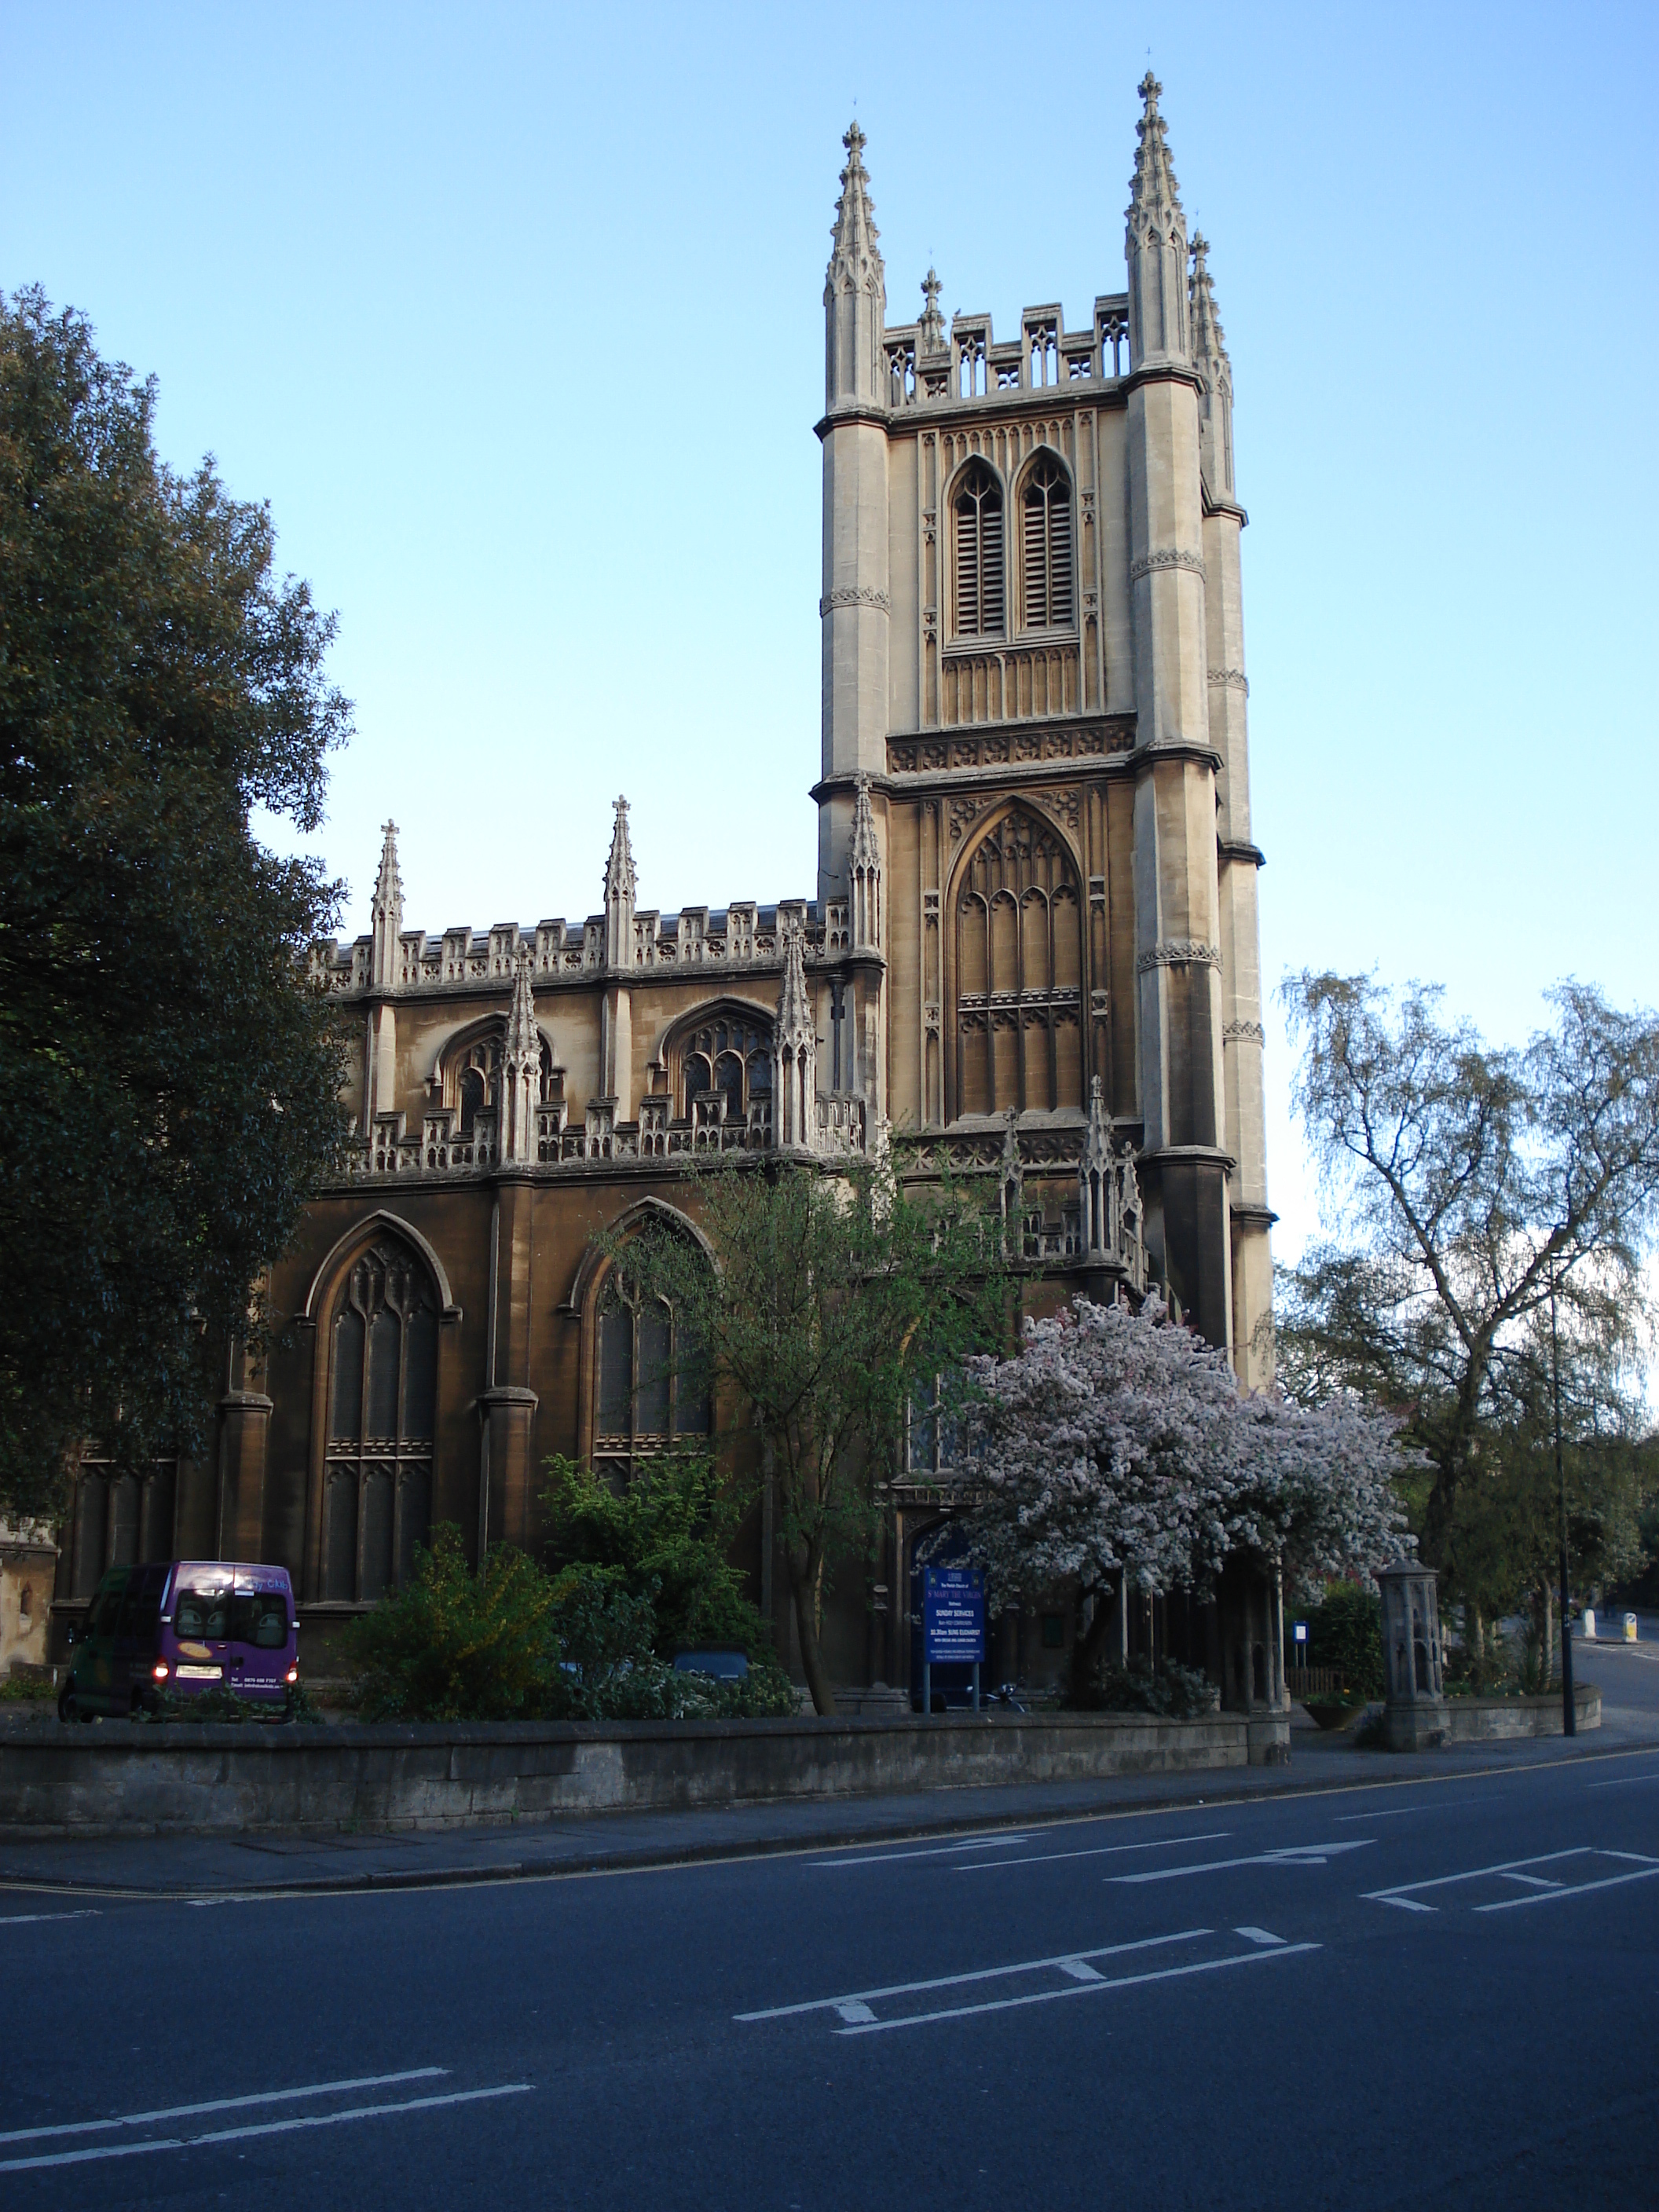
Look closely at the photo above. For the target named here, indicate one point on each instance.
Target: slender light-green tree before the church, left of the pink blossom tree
(833, 1302)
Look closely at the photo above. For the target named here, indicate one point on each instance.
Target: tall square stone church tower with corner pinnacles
(1034, 667)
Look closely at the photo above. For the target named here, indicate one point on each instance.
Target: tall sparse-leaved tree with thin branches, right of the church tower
(1465, 1185)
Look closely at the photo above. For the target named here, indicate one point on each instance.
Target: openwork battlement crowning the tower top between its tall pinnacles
(930, 368)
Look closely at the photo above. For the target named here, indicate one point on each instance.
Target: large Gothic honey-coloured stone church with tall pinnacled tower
(1030, 957)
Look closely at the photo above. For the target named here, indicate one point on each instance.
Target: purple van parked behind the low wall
(182, 1627)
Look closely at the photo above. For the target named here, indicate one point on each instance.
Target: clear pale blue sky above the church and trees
(514, 315)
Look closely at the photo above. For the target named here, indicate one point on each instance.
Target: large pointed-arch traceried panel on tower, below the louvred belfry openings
(1019, 972)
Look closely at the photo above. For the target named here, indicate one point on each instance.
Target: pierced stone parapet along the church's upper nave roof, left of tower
(740, 937)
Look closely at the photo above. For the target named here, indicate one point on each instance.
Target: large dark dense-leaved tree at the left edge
(169, 1083)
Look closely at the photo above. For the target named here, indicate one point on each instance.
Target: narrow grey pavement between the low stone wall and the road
(587, 1844)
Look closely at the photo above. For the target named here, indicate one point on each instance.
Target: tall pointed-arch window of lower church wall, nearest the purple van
(382, 1419)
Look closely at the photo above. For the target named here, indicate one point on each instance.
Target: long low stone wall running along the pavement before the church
(129, 1777)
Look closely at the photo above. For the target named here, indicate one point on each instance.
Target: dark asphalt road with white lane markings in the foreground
(1381, 1996)
